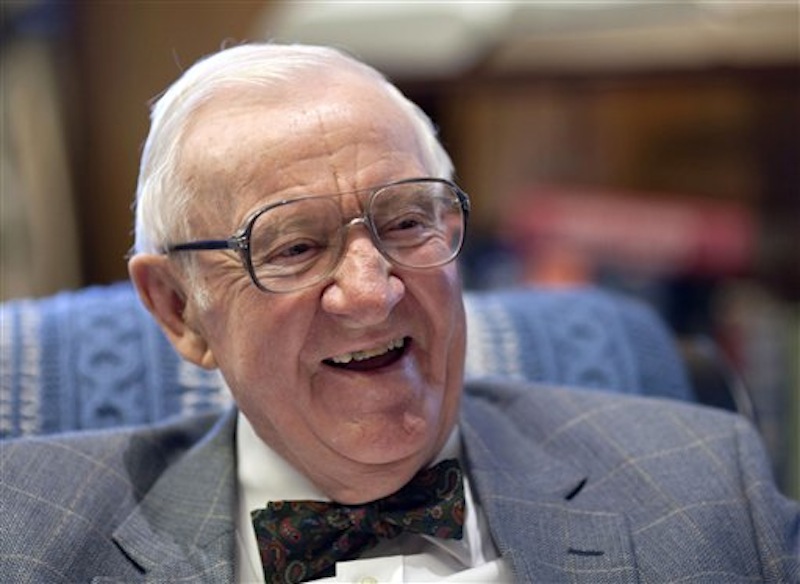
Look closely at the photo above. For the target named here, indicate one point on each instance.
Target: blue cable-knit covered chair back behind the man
(94, 358)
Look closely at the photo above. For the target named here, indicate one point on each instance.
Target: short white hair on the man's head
(162, 200)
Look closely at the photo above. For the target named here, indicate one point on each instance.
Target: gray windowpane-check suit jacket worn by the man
(578, 487)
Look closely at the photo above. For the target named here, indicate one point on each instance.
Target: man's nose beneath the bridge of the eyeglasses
(364, 291)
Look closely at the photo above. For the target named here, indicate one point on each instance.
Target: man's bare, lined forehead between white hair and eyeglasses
(315, 136)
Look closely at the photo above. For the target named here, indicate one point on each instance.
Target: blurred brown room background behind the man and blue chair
(649, 147)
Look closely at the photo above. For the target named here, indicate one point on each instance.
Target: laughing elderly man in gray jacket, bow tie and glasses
(296, 228)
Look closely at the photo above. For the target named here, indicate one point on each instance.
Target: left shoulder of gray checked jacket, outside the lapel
(62, 496)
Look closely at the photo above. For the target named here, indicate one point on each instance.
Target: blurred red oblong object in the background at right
(645, 232)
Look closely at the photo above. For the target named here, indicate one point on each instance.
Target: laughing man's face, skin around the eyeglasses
(358, 432)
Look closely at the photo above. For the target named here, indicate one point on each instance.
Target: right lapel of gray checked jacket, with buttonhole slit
(534, 505)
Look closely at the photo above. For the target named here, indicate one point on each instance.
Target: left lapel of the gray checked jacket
(184, 528)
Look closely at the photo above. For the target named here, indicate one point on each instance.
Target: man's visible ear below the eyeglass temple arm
(163, 293)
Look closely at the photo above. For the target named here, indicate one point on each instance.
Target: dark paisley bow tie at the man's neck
(303, 540)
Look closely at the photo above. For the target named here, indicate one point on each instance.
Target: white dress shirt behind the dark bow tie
(264, 476)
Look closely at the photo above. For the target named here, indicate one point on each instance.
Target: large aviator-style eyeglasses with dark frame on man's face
(289, 245)
